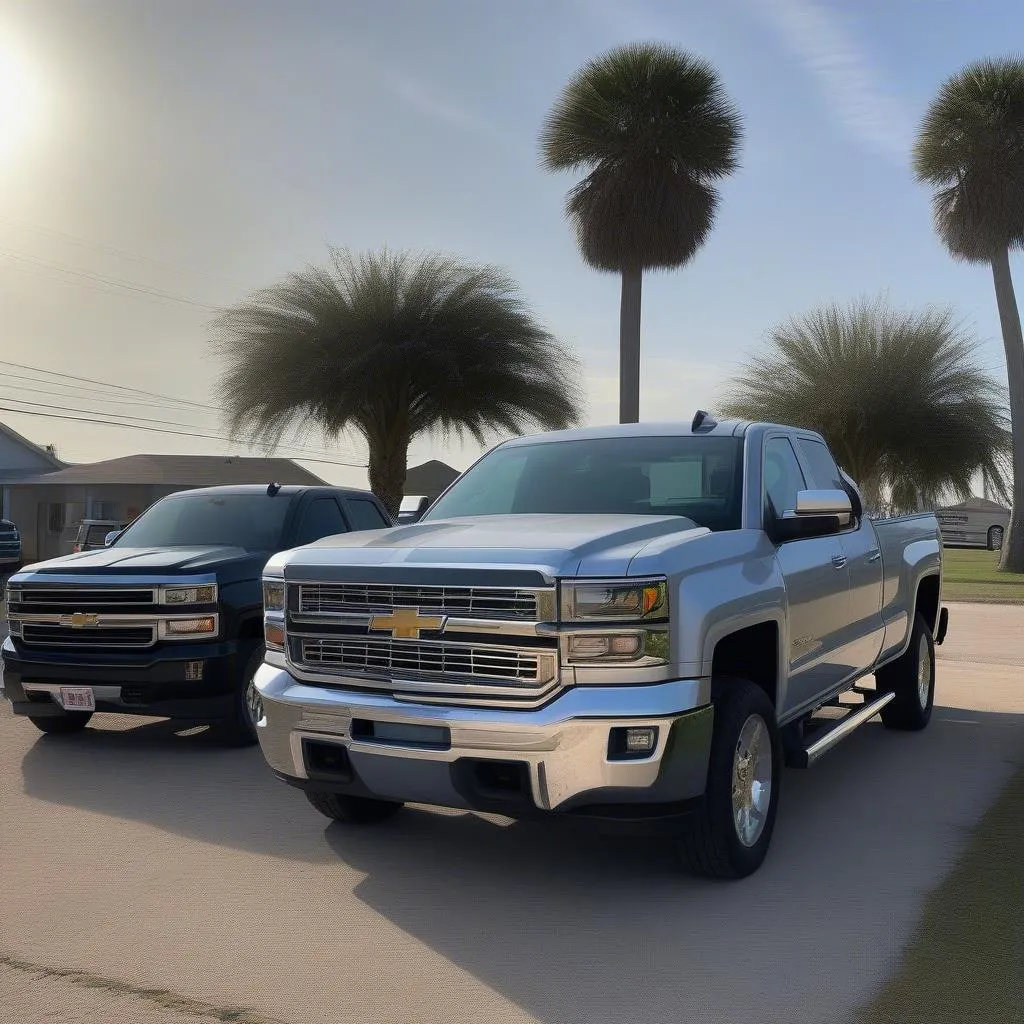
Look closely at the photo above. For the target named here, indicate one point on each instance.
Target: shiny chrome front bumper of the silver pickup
(563, 749)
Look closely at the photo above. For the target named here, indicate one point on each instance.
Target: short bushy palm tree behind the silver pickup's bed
(898, 396)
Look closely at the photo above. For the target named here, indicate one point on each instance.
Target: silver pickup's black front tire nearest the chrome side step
(711, 844)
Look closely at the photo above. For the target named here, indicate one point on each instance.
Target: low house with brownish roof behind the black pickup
(50, 500)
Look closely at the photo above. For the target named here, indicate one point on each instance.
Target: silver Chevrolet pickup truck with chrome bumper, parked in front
(638, 624)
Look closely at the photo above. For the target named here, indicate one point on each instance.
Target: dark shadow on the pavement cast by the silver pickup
(577, 928)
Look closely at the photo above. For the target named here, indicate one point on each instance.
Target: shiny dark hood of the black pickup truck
(233, 564)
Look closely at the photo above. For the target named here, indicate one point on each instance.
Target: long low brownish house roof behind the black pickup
(179, 471)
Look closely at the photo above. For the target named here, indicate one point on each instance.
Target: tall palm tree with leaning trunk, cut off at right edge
(970, 151)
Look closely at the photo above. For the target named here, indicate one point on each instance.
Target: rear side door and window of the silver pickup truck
(866, 630)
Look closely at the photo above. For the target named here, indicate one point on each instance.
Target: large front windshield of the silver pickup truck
(697, 478)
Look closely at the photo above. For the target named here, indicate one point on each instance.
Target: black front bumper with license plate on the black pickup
(159, 682)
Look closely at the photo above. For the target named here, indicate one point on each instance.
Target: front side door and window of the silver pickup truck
(818, 586)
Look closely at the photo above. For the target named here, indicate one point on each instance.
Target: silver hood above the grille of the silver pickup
(552, 545)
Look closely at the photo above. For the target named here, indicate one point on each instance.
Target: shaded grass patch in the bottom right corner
(965, 962)
